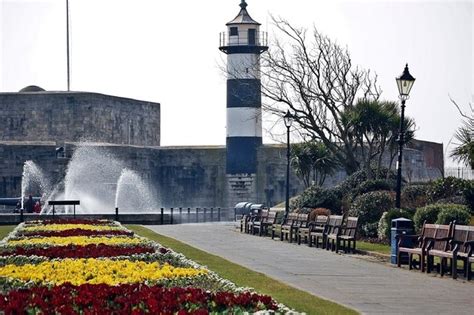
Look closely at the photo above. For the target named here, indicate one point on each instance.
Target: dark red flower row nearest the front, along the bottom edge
(130, 299)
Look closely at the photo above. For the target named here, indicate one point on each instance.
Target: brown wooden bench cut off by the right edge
(454, 247)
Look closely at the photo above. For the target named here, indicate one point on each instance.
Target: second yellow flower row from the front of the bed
(78, 240)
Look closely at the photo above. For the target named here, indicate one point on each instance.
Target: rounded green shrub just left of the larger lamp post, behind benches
(369, 208)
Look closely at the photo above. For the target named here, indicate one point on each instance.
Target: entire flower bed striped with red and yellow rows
(74, 266)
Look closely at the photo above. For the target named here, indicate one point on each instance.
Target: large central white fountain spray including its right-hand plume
(100, 181)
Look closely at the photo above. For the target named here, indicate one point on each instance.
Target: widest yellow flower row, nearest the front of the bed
(96, 271)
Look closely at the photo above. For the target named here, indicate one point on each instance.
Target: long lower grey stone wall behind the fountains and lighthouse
(188, 176)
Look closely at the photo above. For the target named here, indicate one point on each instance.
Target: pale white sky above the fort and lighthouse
(167, 52)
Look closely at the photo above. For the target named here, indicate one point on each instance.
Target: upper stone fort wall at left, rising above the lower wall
(76, 116)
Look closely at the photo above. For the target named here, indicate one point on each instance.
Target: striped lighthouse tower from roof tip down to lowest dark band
(243, 43)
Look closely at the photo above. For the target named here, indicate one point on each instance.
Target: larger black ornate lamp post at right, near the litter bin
(404, 83)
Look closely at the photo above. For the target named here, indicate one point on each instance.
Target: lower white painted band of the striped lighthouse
(244, 122)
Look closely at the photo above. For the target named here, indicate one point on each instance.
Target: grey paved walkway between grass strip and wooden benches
(369, 287)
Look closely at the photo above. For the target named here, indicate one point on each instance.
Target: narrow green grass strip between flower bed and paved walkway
(294, 298)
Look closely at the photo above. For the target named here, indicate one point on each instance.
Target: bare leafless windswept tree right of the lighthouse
(316, 80)
